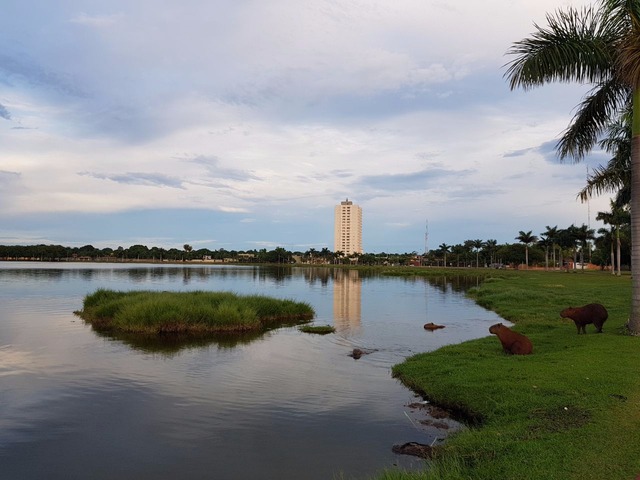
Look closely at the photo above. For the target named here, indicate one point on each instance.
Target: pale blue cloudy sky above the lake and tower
(241, 124)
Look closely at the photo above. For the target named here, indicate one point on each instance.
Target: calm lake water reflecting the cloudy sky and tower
(75, 404)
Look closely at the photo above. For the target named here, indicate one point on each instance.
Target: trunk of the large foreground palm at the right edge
(634, 319)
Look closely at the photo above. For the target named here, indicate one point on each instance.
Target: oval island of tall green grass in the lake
(188, 312)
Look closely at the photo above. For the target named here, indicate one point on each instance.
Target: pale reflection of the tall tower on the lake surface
(347, 300)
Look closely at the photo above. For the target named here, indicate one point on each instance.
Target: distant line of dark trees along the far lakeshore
(553, 248)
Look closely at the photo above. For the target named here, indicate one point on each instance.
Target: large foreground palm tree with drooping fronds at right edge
(598, 46)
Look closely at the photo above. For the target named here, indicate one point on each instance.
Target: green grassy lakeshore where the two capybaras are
(569, 411)
